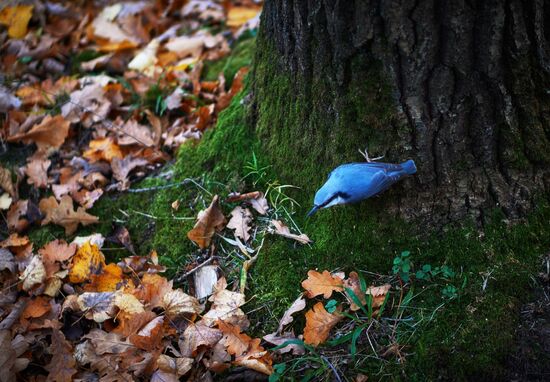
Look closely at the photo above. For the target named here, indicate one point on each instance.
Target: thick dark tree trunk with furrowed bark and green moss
(461, 87)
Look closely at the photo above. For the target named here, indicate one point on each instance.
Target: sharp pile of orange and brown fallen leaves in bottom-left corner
(97, 320)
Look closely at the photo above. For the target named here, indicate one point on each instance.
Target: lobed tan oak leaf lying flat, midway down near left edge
(63, 214)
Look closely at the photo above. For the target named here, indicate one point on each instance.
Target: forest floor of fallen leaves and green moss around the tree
(145, 236)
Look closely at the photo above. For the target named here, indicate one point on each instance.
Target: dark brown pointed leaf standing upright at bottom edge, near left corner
(62, 367)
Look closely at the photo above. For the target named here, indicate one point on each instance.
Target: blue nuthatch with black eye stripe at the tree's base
(353, 182)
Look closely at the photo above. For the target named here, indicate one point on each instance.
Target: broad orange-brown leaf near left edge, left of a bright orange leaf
(51, 132)
